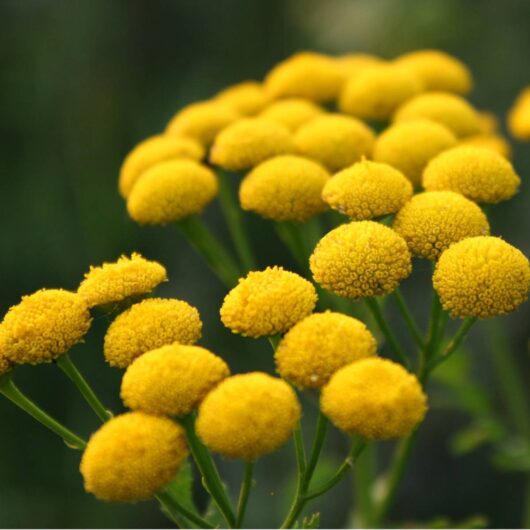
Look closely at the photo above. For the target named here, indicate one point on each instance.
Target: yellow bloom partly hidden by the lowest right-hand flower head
(315, 348)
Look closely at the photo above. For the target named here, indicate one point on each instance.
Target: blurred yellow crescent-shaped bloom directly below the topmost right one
(448, 109)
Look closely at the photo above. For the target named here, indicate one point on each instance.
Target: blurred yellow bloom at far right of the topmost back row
(438, 70)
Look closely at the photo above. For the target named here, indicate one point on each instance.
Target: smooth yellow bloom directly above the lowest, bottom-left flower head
(172, 380)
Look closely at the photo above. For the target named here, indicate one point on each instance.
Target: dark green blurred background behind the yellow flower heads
(82, 81)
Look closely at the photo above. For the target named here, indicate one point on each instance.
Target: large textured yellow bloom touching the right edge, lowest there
(481, 277)
